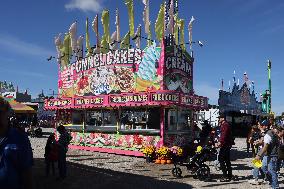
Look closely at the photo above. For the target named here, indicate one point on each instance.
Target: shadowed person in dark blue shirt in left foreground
(16, 157)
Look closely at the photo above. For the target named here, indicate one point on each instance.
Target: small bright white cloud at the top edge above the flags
(85, 5)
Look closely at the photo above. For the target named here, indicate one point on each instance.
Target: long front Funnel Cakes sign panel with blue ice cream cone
(119, 71)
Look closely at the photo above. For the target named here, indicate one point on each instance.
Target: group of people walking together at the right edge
(266, 142)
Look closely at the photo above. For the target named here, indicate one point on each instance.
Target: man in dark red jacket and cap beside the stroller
(225, 144)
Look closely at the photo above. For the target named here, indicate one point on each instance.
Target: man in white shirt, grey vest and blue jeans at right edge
(270, 151)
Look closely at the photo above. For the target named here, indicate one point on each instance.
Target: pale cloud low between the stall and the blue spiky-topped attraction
(204, 89)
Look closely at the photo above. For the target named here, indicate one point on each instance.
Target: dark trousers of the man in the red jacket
(225, 162)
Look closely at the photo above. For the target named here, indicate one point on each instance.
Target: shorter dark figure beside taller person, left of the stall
(51, 154)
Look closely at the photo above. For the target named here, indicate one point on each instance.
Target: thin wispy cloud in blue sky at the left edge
(18, 46)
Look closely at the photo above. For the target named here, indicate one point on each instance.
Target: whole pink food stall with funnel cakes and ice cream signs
(123, 99)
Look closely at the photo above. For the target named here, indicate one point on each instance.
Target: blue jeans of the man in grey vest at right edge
(272, 171)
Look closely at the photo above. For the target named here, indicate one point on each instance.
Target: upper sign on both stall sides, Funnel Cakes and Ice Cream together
(128, 71)
